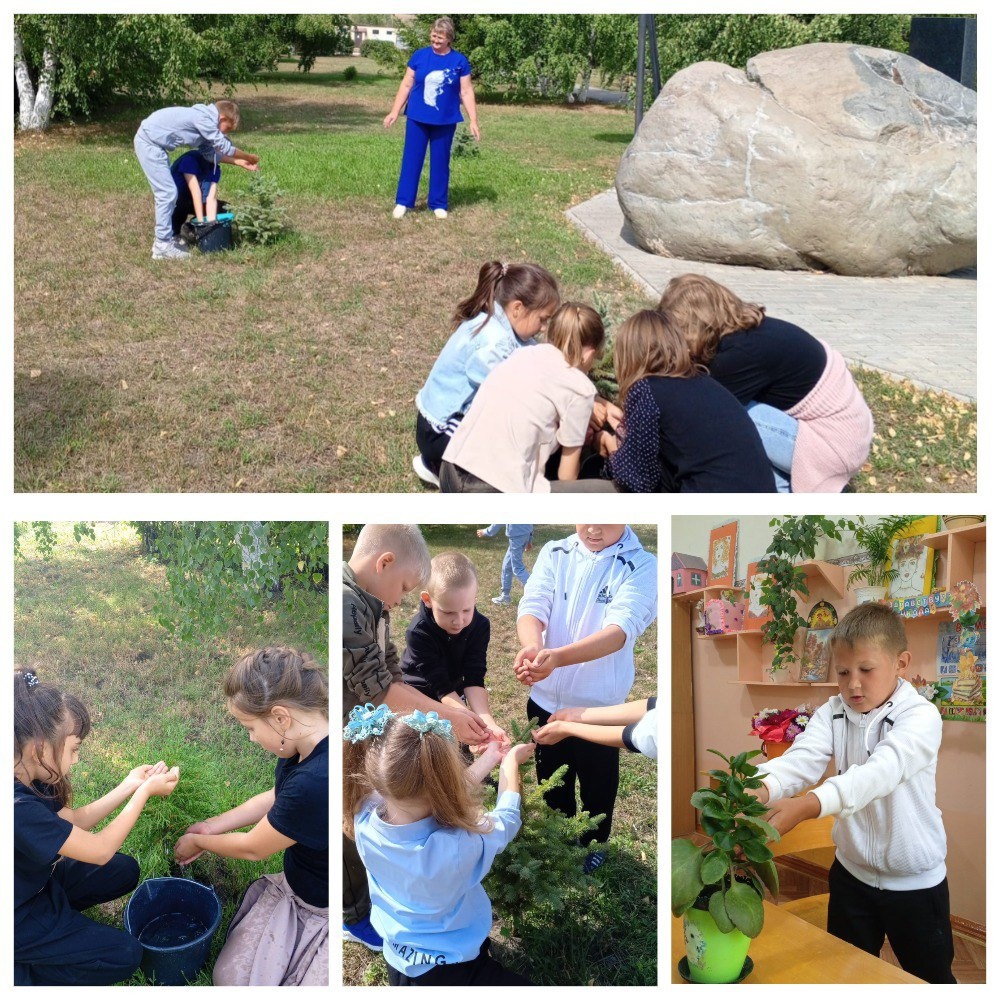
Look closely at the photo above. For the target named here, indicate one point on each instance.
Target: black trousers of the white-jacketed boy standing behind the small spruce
(595, 767)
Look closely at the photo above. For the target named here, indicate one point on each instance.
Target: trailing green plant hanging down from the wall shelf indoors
(794, 539)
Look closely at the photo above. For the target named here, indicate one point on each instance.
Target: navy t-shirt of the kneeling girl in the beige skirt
(301, 796)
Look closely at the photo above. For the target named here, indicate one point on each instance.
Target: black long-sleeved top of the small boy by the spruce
(437, 662)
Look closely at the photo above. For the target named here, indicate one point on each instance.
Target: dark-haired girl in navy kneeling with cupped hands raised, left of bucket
(61, 866)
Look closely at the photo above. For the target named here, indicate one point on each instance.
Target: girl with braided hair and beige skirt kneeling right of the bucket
(280, 697)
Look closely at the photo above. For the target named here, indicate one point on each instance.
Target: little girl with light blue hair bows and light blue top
(415, 811)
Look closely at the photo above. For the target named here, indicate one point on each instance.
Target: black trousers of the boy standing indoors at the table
(916, 921)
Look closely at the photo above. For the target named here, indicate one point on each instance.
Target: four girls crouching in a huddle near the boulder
(712, 396)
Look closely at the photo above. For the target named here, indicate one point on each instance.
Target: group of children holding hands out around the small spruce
(420, 737)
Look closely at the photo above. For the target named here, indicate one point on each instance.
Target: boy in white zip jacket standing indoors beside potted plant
(888, 878)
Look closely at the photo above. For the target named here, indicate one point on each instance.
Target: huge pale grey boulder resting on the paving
(835, 157)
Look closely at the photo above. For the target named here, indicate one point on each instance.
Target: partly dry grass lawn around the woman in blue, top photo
(293, 368)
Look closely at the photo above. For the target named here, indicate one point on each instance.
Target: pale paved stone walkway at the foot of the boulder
(917, 328)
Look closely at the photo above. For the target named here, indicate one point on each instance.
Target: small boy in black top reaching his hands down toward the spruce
(446, 641)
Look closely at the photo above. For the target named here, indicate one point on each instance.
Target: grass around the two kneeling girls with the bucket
(86, 621)
